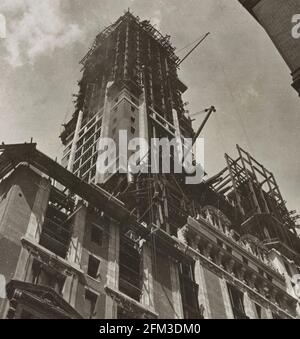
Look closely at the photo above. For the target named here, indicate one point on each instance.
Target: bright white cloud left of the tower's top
(36, 28)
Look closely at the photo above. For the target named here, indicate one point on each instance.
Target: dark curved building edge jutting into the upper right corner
(276, 17)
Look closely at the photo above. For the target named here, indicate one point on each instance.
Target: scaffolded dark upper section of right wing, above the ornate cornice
(253, 191)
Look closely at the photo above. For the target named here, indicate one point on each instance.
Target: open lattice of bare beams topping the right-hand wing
(253, 188)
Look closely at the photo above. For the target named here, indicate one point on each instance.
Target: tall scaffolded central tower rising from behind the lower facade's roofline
(130, 84)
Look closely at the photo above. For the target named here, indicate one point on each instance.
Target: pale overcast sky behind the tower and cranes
(237, 69)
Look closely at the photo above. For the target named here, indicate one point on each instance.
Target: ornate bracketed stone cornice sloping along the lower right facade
(227, 266)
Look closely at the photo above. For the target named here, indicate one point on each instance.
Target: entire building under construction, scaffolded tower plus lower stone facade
(76, 242)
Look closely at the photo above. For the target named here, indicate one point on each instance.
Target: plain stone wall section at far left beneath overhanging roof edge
(18, 193)
